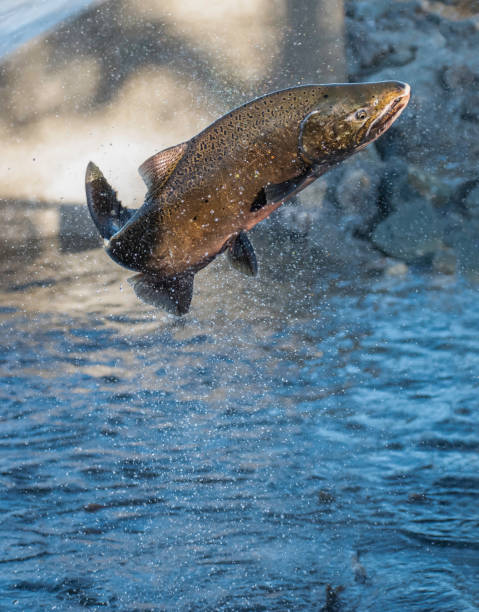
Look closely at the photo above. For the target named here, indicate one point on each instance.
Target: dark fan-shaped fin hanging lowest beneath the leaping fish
(173, 294)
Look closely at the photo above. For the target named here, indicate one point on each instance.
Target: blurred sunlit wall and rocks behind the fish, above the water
(120, 80)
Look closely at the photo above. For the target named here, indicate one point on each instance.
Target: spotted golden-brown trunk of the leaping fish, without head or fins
(208, 197)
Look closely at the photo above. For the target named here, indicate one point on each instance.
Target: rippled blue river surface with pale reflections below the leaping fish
(240, 457)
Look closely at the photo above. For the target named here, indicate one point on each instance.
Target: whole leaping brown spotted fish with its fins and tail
(206, 193)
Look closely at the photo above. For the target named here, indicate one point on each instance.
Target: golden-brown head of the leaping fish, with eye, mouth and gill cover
(349, 117)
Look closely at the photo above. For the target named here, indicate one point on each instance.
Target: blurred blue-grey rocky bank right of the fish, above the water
(415, 196)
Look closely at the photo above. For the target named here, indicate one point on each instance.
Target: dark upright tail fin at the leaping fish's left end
(106, 211)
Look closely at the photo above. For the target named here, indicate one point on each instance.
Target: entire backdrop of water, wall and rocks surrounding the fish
(304, 440)
